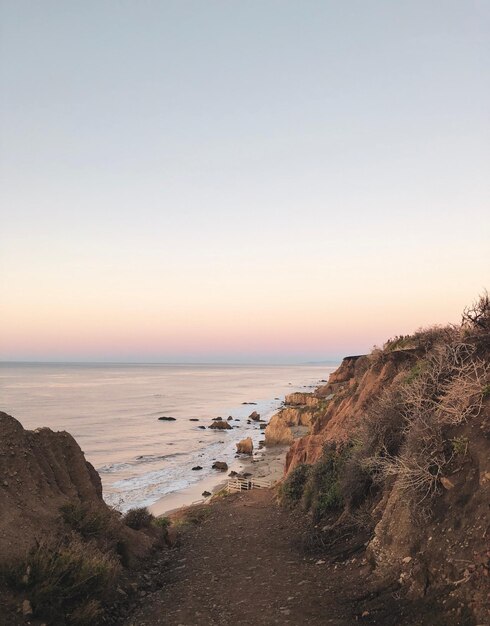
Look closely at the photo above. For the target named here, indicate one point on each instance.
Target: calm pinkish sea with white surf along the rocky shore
(112, 411)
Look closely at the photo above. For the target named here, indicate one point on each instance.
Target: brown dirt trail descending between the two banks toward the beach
(243, 565)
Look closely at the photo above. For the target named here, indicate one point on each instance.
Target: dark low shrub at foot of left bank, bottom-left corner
(66, 582)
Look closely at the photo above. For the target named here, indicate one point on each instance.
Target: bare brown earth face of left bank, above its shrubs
(40, 471)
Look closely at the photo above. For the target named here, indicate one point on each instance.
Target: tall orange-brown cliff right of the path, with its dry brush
(398, 453)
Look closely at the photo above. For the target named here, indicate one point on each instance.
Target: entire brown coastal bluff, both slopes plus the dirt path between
(382, 514)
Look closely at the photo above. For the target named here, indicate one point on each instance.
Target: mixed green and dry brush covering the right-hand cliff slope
(408, 433)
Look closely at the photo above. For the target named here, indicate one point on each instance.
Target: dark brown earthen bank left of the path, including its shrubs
(63, 551)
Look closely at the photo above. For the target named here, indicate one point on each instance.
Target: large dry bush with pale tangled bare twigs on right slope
(404, 433)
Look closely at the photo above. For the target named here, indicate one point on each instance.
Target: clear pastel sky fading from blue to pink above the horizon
(259, 181)
